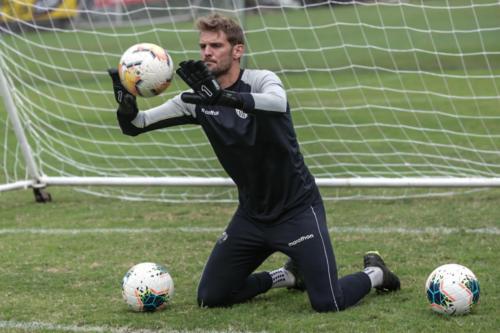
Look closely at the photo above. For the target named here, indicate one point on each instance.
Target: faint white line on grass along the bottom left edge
(31, 326)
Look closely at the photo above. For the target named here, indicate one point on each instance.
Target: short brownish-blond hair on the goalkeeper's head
(217, 22)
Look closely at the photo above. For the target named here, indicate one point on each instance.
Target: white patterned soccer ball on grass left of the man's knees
(147, 287)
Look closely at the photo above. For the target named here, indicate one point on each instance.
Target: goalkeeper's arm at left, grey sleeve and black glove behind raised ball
(134, 122)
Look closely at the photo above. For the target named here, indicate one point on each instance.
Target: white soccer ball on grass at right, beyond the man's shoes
(452, 289)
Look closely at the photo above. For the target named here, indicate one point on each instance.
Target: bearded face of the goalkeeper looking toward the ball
(217, 53)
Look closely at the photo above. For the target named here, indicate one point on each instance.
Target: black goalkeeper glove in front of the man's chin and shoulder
(207, 90)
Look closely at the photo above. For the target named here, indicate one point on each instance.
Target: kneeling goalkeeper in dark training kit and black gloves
(246, 117)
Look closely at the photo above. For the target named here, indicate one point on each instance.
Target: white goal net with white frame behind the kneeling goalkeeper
(383, 93)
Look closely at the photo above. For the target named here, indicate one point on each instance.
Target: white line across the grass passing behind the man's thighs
(341, 230)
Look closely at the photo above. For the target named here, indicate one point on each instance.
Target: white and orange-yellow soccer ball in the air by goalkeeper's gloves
(145, 69)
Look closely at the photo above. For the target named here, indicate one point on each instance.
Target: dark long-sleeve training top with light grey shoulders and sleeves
(257, 148)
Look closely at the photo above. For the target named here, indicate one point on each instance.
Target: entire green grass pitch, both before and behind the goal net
(420, 101)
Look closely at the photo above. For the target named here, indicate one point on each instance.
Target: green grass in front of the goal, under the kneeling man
(74, 279)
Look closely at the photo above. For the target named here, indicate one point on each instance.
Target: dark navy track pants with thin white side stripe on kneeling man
(227, 278)
